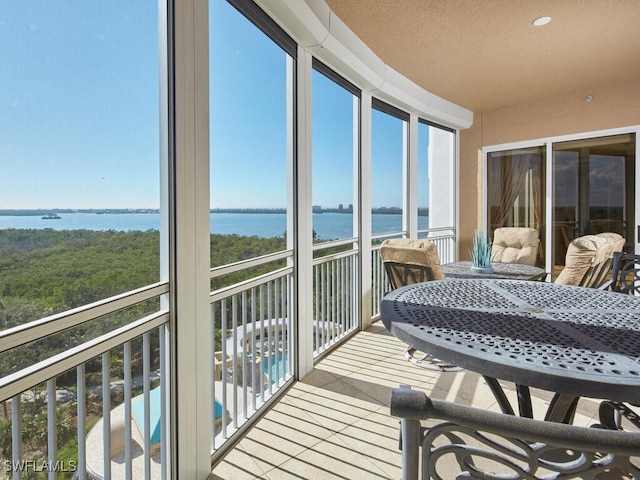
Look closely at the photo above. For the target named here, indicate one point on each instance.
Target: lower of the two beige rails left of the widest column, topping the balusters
(16, 383)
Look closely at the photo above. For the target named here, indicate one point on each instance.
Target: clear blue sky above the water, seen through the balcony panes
(79, 113)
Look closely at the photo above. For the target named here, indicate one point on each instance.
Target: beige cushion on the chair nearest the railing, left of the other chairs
(413, 252)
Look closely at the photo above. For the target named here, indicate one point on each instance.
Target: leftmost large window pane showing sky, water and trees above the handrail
(79, 186)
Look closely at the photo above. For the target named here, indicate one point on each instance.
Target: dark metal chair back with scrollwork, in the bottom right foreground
(467, 442)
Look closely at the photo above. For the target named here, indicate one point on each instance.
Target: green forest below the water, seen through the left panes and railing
(43, 272)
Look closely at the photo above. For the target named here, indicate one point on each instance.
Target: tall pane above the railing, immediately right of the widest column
(249, 137)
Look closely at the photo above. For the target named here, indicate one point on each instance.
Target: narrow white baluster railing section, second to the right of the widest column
(335, 295)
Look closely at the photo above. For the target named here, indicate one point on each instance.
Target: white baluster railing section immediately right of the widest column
(252, 348)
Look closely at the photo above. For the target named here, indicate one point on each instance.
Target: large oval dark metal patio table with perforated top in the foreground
(572, 341)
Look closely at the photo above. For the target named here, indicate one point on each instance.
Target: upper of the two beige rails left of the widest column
(29, 332)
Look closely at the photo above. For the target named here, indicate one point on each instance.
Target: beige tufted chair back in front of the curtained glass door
(515, 245)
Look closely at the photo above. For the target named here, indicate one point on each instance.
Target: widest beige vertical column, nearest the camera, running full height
(191, 420)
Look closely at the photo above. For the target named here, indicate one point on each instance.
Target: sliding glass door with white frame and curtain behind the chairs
(591, 188)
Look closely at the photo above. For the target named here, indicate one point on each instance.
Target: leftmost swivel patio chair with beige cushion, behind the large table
(408, 261)
